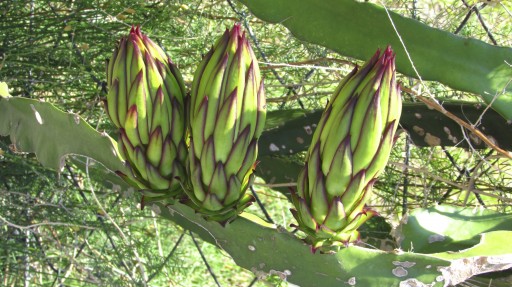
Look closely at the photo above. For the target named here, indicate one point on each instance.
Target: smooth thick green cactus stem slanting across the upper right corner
(356, 29)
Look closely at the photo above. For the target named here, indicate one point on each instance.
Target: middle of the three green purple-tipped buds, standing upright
(227, 114)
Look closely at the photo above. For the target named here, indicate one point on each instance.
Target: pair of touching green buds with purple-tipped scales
(220, 130)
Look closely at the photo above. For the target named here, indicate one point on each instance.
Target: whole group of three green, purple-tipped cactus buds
(202, 149)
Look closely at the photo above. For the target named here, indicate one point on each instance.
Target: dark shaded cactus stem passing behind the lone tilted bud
(426, 127)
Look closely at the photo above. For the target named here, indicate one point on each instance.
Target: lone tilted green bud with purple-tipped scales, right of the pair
(350, 147)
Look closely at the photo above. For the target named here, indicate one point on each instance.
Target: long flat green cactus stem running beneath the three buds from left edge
(253, 244)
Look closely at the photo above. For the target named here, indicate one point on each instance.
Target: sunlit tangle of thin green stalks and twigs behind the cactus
(65, 229)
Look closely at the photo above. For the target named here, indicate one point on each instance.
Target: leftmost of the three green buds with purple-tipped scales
(146, 102)
